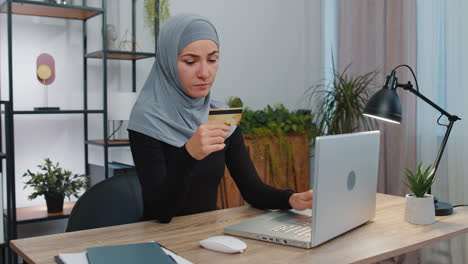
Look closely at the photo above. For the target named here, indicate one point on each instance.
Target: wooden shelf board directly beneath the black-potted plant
(39, 213)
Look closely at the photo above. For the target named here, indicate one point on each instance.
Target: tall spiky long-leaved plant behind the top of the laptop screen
(340, 102)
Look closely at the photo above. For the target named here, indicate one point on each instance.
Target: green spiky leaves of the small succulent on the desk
(420, 181)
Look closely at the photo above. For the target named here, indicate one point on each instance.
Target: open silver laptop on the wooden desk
(345, 186)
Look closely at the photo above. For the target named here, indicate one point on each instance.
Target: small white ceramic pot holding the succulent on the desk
(419, 210)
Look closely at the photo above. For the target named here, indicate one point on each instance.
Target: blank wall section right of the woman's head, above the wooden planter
(269, 49)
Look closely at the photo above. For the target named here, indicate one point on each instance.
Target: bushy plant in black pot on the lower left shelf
(54, 183)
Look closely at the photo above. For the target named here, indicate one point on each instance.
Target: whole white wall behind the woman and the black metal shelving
(270, 53)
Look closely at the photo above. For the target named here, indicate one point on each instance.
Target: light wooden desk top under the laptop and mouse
(386, 236)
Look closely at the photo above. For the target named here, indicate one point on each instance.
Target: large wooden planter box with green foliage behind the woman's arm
(278, 141)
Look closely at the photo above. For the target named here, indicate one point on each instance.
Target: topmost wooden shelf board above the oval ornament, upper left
(35, 8)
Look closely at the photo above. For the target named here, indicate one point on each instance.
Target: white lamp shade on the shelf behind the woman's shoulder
(120, 105)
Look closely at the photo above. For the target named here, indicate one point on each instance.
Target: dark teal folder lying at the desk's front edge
(148, 252)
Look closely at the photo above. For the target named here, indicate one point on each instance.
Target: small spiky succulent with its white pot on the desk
(419, 207)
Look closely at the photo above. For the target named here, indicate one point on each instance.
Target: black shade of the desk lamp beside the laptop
(384, 105)
